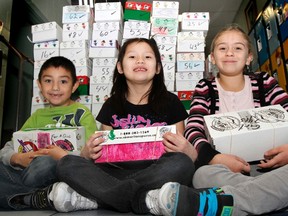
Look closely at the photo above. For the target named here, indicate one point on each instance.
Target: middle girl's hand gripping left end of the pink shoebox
(92, 149)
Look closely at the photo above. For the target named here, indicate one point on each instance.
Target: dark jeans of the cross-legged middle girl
(124, 189)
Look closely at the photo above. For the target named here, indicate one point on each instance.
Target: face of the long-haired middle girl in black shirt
(139, 63)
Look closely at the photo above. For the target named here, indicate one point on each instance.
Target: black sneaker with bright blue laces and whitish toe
(175, 199)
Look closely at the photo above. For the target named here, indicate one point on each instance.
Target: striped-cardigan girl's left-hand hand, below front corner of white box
(234, 163)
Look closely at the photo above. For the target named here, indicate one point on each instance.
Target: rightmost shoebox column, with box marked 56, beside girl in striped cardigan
(191, 53)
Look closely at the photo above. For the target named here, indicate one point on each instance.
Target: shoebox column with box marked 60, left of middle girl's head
(104, 49)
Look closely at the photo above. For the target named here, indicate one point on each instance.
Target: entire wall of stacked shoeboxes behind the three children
(92, 38)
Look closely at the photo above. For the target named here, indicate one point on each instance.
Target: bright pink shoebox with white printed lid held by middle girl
(134, 144)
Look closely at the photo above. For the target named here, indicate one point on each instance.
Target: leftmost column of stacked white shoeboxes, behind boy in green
(46, 38)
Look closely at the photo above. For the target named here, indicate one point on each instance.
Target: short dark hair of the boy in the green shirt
(59, 61)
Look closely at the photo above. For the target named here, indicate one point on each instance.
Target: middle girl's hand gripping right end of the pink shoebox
(177, 143)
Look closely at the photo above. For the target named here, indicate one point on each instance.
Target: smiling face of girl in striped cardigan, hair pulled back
(231, 53)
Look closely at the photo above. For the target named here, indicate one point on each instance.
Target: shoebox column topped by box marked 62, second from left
(77, 30)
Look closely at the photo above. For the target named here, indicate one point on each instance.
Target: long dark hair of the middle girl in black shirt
(157, 94)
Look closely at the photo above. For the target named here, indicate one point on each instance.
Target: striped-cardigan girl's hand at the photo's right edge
(275, 157)
